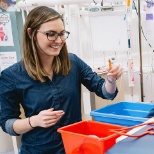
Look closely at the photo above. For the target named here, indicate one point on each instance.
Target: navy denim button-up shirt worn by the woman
(60, 93)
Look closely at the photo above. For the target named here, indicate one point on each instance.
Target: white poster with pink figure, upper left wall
(6, 38)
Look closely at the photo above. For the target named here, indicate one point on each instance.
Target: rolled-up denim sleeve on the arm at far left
(10, 102)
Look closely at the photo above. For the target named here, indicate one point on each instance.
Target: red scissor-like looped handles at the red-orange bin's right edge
(124, 131)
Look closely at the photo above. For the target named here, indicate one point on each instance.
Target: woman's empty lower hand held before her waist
(46, 118)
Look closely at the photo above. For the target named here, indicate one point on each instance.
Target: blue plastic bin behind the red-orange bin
(123, 113)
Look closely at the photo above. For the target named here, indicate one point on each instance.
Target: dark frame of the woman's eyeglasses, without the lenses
(58, 34)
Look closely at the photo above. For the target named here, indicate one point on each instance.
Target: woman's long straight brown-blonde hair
(61, 63)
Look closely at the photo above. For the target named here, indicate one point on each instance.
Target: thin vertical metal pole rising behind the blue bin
(140, 49)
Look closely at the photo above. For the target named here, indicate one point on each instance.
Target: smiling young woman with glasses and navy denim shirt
(47, 83)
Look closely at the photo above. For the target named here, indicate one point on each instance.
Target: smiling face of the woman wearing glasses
(50, 48)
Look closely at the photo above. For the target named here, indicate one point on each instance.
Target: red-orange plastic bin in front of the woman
(88, 137)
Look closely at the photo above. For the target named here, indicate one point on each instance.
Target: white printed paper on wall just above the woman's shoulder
(7, 59)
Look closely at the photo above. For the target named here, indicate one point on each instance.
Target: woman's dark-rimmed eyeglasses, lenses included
(52, 35)
